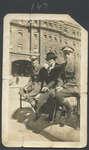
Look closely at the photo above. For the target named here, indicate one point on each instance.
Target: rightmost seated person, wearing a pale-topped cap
(71, 85)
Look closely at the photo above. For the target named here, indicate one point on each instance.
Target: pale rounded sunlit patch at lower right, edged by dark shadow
(65, 133)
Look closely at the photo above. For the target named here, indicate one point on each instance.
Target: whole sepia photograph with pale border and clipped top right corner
(44, 81)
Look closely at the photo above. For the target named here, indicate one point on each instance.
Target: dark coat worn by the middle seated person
(53, 77)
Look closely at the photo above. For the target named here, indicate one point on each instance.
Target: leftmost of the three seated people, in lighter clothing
(33, 86)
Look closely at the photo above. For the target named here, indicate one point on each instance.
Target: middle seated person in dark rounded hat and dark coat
(53, 79)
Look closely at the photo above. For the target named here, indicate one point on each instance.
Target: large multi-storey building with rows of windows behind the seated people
(37, 37)
